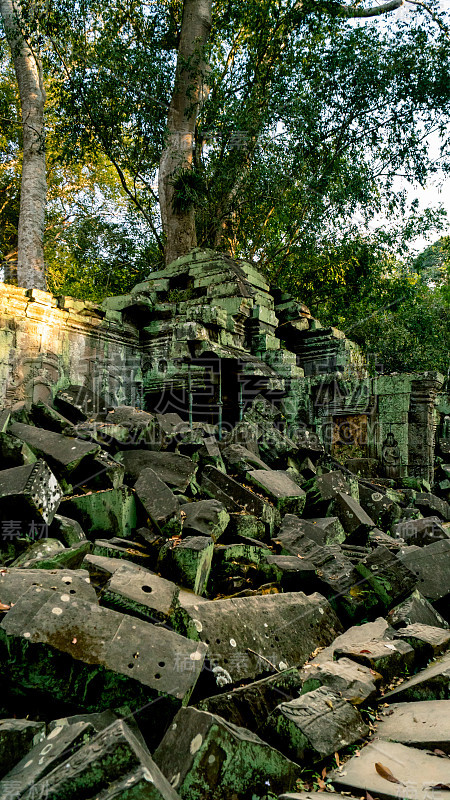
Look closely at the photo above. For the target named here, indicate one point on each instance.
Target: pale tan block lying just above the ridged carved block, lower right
(355, 682)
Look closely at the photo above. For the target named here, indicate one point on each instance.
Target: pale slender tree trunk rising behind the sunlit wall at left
(33, 189)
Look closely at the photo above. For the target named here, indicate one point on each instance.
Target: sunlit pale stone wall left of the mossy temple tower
(48, 343)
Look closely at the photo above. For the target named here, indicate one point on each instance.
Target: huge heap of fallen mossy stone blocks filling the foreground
(235, 620)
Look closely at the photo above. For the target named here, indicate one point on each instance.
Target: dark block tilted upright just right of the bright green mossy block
(159, 502)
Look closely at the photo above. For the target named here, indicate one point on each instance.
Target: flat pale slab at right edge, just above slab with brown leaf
(422, 724)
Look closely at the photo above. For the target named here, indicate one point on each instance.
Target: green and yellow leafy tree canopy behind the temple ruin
(307, 121)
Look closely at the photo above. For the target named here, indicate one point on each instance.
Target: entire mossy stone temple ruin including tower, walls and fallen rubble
(225, 550)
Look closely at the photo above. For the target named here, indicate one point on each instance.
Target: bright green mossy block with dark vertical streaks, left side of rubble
(108, 513)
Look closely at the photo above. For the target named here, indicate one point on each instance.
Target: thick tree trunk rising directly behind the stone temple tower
(177, 156)
